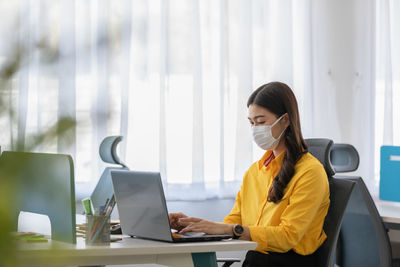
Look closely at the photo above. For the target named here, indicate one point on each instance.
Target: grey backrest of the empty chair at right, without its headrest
(363, 237)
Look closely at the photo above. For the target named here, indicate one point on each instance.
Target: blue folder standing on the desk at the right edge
(389, 187)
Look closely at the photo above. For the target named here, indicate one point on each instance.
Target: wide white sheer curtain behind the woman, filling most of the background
(173, 78)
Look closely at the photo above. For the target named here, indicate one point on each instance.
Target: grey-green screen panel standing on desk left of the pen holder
(45, 185)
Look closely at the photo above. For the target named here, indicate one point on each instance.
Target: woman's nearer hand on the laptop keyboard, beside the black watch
(200, 225)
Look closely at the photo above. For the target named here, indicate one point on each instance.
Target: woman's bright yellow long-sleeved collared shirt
(293, 223)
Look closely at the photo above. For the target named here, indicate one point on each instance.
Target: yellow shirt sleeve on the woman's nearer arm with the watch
(308, 194)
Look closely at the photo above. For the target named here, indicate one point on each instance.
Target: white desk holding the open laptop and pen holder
(127, 251)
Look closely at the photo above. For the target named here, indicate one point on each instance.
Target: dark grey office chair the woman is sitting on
(340, 191)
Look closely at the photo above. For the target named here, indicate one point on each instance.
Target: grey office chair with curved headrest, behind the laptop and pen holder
(108, 153)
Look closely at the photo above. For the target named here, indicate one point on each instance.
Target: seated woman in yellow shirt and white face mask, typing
(284, 197)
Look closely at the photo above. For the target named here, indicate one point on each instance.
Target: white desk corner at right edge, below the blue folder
(390, 213)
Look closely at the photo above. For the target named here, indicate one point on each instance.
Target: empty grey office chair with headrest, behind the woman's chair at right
(363, 239)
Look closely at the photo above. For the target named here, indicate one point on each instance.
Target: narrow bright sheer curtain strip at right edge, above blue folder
(387, 114)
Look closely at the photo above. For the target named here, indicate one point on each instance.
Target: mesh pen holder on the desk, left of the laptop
(97, 230)
